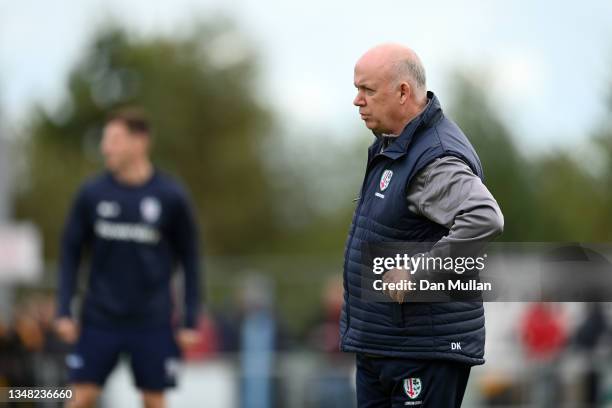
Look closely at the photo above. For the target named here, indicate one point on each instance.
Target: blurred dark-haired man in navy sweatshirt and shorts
(136, 223)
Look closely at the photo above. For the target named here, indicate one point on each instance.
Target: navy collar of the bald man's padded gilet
(430, 115)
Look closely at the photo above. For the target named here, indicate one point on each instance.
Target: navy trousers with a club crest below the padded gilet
(397, 382)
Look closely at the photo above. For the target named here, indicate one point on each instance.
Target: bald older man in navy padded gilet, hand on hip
(423, 183)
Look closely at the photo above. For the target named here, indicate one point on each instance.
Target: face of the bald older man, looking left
(377, 98)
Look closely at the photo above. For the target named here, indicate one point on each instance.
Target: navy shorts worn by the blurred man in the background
(153, 355)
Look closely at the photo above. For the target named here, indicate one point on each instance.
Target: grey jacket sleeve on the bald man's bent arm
(450, 194)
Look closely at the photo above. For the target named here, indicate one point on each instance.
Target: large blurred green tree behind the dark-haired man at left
(208, 122)
